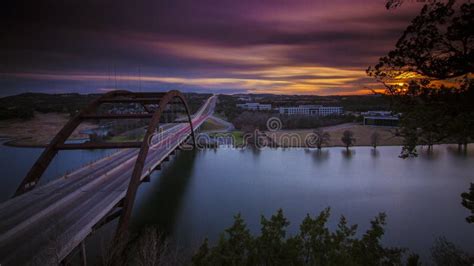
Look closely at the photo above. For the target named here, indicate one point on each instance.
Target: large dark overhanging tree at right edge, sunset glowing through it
(429, 75)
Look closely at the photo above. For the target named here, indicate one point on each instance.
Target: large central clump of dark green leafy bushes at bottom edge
(315, 244)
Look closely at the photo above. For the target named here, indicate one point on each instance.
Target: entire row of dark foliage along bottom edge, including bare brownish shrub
(314, 244)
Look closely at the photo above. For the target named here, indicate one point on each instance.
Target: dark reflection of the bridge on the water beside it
(164, 195)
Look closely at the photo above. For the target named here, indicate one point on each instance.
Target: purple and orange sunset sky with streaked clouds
(217, 46)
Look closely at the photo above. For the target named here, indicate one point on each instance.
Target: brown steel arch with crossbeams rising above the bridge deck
(90, 112)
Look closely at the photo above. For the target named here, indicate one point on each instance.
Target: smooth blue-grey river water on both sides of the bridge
(197, 193)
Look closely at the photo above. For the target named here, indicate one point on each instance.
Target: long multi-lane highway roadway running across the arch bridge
(44, 225)
